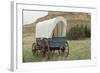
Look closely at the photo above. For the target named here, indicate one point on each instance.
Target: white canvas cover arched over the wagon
(45, 28)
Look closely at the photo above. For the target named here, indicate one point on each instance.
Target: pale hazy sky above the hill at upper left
(32, 16)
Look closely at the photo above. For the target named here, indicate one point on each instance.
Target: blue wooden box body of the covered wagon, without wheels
(53, 42)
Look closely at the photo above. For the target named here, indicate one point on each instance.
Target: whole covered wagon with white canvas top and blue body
(51, 36)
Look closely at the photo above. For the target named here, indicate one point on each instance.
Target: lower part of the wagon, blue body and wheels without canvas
(49, 46)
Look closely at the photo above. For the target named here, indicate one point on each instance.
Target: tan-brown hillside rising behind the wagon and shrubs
(72, 18)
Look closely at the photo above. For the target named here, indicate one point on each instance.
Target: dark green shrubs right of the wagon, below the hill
(78, 32)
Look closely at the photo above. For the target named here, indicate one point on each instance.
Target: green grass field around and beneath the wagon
(78, 50)
